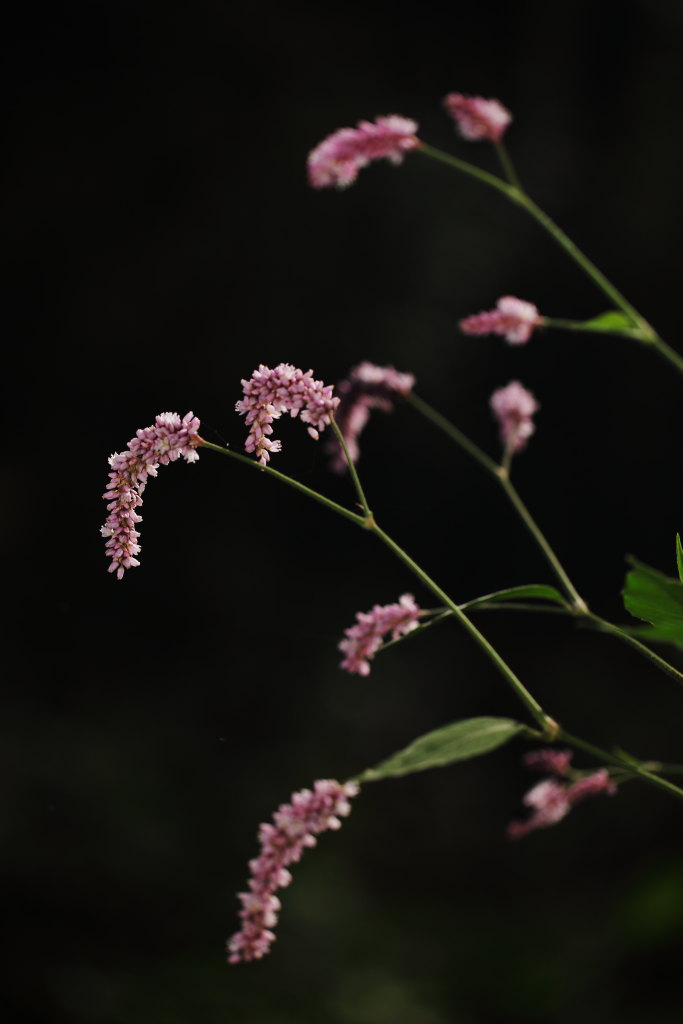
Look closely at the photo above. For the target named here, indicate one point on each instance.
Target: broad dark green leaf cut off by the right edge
(657, 600)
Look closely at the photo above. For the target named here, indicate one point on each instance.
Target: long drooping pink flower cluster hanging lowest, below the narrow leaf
(294, 830)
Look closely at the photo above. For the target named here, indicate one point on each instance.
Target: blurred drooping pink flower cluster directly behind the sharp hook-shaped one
(367, 388)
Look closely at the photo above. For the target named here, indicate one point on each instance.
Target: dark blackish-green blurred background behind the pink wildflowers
(162, 242)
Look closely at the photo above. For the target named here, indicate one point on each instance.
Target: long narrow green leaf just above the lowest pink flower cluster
(458, 742)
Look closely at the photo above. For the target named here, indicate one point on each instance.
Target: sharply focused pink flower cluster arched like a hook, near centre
(269, 394)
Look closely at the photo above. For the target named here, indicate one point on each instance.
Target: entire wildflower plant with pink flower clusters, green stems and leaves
(654, 601)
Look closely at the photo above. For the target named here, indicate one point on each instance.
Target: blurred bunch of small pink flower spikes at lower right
(552, 799)
